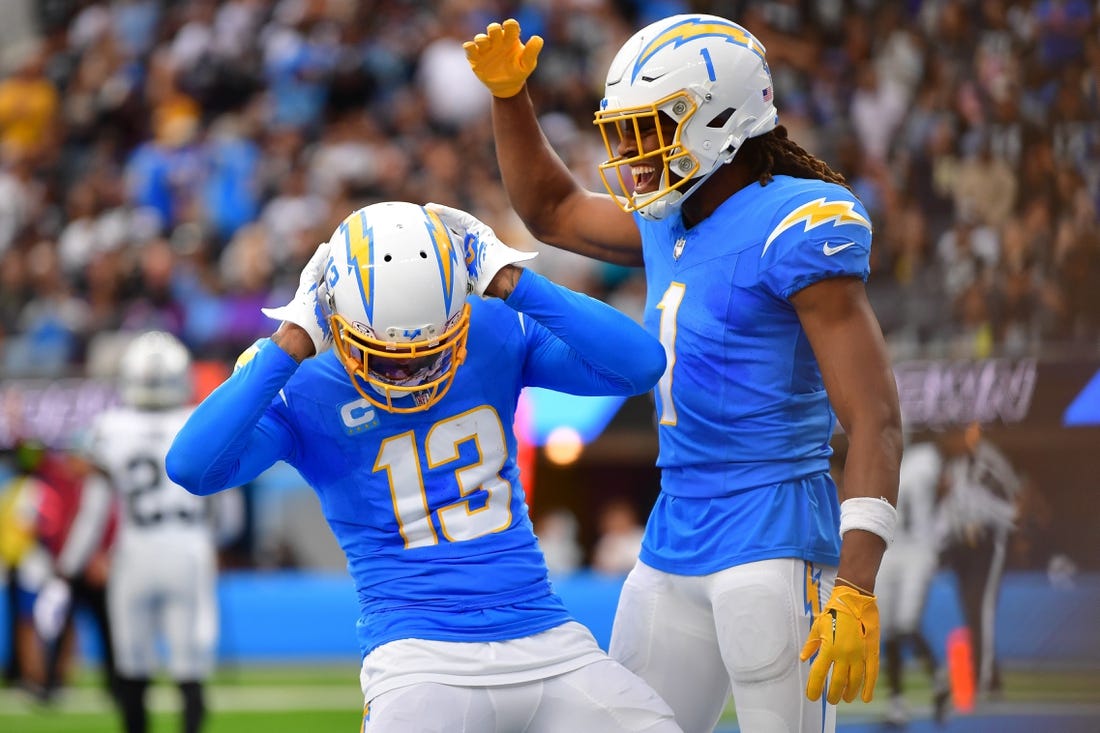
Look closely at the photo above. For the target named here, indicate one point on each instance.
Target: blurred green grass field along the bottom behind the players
(284, 699)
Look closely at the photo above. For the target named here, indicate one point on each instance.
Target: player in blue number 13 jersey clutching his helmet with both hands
(404, 431)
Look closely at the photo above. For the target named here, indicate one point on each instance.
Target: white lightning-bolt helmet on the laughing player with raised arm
(709, 76)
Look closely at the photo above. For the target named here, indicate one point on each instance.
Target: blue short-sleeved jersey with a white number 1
(744, 419)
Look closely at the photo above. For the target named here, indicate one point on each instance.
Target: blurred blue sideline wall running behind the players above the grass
(293, 617)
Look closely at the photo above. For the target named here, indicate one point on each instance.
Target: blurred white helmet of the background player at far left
(156, 373)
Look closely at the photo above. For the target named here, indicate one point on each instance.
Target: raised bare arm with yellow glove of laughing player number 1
(546, 195)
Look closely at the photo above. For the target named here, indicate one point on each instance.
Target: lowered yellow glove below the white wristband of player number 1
(846, 639)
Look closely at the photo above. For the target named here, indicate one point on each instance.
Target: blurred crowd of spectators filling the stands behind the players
(172, 163)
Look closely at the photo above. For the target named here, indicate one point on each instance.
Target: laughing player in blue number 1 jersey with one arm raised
(756, 256)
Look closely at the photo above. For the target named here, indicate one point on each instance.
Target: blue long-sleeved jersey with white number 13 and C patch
(427, 507)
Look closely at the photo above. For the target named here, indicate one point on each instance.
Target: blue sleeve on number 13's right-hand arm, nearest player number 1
(582, 346)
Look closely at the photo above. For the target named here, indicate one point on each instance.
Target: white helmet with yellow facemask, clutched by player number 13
(398, 300)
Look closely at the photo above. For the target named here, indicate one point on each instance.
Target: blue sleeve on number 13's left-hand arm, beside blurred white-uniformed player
(233, 436)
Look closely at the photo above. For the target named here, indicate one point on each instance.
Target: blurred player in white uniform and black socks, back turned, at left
(162, 582)
